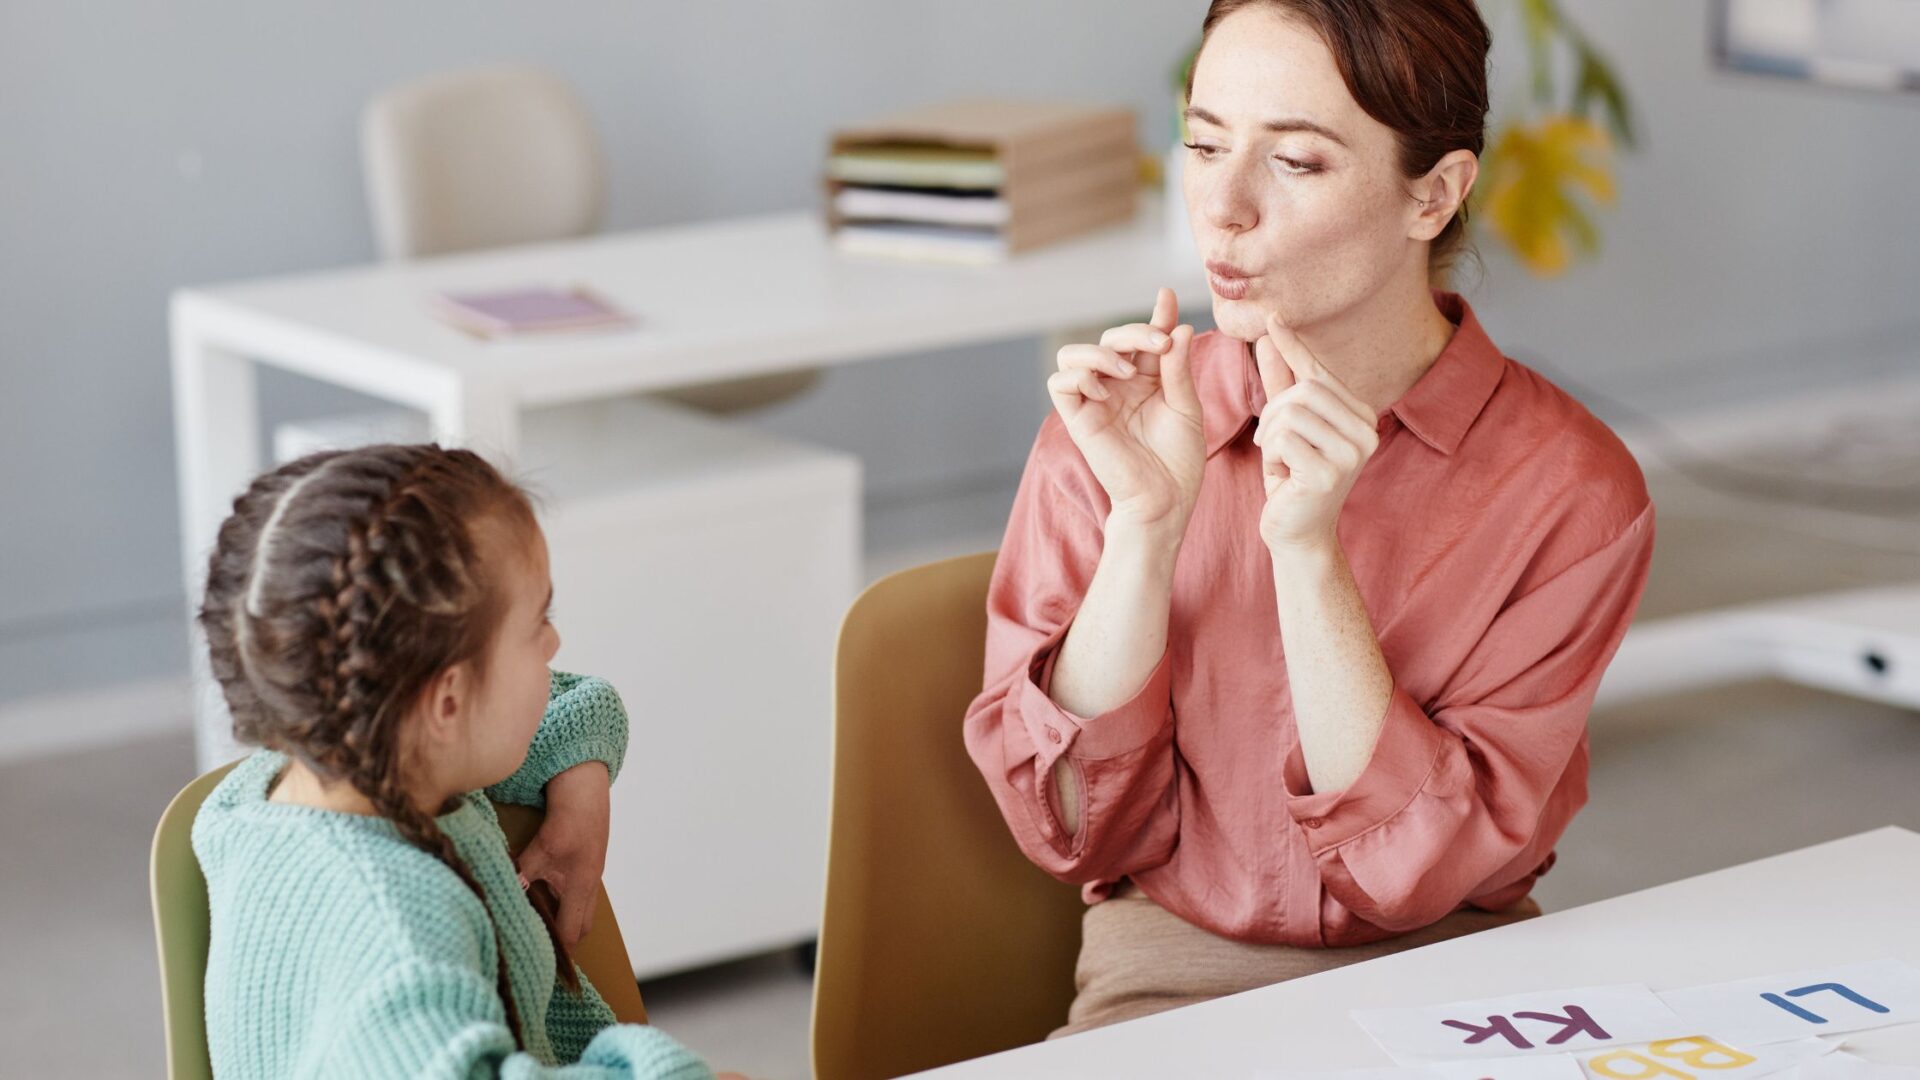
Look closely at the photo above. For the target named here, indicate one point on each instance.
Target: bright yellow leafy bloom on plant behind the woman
(1531, 189)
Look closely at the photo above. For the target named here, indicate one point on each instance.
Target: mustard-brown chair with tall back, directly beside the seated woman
(940, 941)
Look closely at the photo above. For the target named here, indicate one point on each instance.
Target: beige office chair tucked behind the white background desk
(502, 157)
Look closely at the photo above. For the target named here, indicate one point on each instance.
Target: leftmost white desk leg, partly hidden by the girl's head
(216, 433)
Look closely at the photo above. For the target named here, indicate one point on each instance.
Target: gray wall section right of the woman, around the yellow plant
(1767, 237)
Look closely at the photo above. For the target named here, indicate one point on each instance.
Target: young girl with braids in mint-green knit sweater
(379, 624)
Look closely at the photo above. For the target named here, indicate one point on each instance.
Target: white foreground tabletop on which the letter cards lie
(1840, 902)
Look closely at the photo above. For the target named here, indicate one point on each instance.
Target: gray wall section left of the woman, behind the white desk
(155, 145)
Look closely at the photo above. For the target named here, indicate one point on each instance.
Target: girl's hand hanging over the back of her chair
(571, 848)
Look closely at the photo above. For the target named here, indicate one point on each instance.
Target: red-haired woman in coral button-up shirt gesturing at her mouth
(1297, 624)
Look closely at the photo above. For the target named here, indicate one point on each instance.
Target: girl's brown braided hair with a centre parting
(339, 589)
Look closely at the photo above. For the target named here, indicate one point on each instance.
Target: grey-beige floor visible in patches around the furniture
(1723, 777)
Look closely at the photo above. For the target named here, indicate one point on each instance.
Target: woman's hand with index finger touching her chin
(1314, 439)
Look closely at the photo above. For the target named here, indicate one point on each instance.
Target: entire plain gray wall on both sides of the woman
(1767, 235)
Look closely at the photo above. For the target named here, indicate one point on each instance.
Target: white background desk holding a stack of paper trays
(723, 299)
